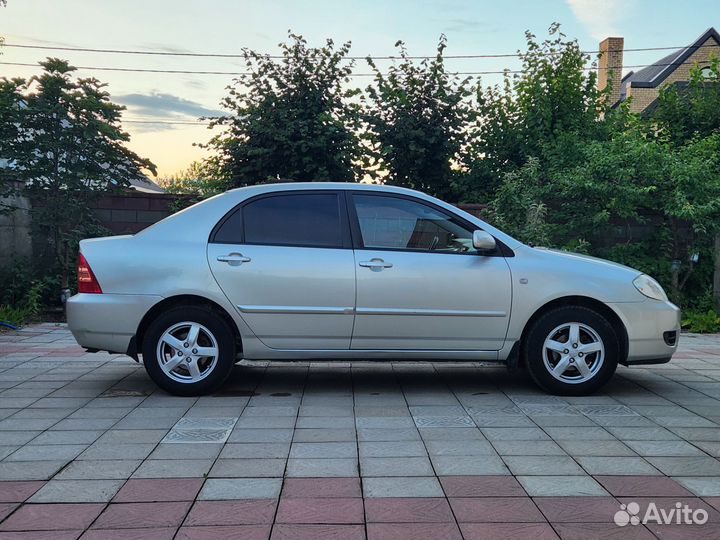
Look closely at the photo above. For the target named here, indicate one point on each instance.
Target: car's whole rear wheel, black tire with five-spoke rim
(189, 350)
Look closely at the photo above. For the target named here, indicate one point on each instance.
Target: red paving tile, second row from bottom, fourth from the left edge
(341, 510)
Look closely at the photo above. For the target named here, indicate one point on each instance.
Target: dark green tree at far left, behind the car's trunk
(63, 147)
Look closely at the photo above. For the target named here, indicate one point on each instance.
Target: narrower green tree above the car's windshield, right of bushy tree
(417, 116)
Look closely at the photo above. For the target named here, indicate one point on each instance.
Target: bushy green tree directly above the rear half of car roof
(292, 118)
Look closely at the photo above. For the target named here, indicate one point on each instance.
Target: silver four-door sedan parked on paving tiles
(352, 271)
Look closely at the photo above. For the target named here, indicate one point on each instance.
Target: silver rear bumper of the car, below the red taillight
(107, 321)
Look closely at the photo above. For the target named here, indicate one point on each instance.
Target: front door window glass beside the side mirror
(395, 223)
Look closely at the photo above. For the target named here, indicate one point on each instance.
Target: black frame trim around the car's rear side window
(345, 234)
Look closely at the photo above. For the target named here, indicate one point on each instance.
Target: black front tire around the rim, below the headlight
(573, 382)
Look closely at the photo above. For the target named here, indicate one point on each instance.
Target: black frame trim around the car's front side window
(501, 249)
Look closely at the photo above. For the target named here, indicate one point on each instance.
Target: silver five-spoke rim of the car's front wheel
(573, 353)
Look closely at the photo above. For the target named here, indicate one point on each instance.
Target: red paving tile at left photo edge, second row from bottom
(52, 517)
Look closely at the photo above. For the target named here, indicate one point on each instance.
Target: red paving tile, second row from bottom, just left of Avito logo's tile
(497, 510)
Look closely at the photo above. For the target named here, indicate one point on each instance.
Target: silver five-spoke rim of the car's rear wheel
(187, 352)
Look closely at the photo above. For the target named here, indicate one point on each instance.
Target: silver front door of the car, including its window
(420, 283)
